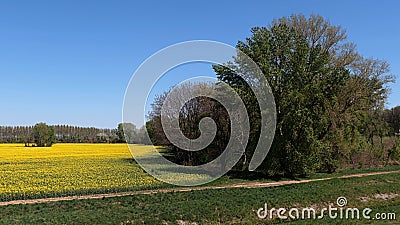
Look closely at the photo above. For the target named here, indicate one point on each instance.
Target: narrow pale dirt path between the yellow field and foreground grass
(185, 189)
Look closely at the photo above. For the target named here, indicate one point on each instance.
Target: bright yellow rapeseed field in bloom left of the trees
(69, 169)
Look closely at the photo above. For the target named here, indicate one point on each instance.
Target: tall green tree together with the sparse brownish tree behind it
(321, 87)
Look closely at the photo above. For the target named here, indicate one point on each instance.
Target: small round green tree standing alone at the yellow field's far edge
(43, 135)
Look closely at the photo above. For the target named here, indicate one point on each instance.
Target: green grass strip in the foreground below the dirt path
(223, 206)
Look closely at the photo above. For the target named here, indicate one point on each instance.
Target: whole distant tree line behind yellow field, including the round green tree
(68, 134)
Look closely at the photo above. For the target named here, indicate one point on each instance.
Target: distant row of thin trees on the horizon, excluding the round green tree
(75, 134)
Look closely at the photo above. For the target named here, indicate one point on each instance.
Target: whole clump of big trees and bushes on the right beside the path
(329, 100)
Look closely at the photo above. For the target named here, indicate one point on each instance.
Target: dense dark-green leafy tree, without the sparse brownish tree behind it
(304, 86)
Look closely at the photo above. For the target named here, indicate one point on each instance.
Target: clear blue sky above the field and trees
(69, 62)
